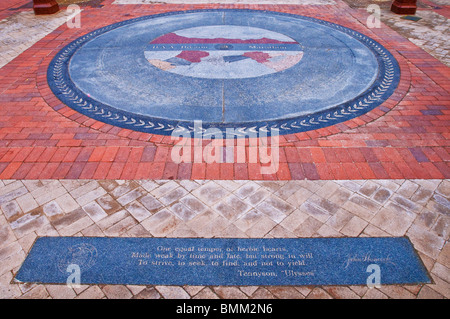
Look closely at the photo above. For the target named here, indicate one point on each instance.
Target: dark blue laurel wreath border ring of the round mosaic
(61, 85)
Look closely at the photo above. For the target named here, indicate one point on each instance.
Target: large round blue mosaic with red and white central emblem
(241, 71)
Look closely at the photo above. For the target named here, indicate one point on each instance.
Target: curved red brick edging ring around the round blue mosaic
(286, 139)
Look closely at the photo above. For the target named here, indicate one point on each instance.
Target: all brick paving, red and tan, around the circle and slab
(63, 174)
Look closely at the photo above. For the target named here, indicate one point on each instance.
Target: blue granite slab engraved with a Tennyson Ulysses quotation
(218, 261)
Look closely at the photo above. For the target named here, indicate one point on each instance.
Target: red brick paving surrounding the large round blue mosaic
(41, 138)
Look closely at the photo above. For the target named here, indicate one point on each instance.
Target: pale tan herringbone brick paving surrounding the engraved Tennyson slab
(418, 209)
